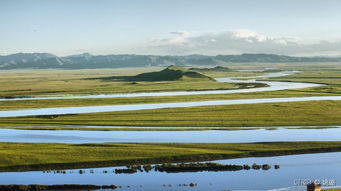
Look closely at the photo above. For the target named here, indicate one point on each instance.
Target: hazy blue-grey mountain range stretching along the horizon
(89, 61)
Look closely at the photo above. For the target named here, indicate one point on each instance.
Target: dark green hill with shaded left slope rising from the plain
(171, 73)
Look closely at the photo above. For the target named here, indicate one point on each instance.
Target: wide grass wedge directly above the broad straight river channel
(309, 113)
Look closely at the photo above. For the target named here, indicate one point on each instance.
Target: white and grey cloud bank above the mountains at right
(241, 41)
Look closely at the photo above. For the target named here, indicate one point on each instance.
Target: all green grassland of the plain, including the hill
(45, 156)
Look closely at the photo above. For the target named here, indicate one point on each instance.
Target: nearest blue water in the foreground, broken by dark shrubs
(307, 166)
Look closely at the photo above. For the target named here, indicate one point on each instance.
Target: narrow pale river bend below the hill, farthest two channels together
(110, 108)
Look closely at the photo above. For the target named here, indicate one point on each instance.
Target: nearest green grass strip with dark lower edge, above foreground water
(35, 156)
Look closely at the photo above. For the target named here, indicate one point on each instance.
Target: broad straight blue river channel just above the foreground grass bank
(211, 136)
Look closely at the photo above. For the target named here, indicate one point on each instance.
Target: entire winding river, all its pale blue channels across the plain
(293, 167)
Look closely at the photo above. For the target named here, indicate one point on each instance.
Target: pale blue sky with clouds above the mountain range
(171, 27)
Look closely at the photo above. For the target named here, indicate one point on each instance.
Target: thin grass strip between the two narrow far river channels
(13, 105)
